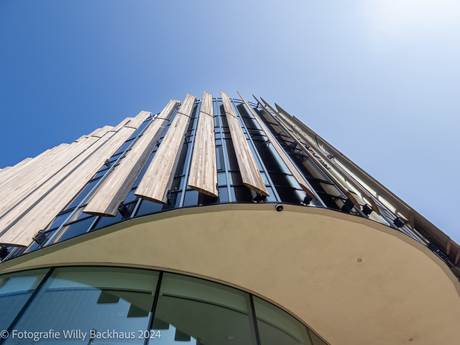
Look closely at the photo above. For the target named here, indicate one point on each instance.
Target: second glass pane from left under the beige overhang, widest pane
(93, 298)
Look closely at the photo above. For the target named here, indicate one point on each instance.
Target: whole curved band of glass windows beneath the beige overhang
(109, 305)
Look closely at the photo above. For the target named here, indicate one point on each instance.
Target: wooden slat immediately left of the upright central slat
(159, 174)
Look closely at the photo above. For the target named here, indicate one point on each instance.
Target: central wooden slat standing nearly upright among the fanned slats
(203, 169)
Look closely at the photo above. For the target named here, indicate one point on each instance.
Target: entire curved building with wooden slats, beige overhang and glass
(216, 221)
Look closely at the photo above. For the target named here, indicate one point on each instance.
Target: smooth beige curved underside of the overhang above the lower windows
(302, 259)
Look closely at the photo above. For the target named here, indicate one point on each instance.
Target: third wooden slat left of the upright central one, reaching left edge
(21, 232)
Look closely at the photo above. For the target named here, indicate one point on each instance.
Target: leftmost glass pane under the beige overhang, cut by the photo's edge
(15, 290)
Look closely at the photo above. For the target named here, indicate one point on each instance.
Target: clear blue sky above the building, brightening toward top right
(378, 79)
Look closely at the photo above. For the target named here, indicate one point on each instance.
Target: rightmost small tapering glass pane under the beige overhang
(278, 327)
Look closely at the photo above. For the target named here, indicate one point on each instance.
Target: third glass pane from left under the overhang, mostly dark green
(202, 312)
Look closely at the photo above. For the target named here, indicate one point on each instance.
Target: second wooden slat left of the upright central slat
(118, 184)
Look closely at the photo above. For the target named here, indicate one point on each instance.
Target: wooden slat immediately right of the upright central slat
(248, 167)
